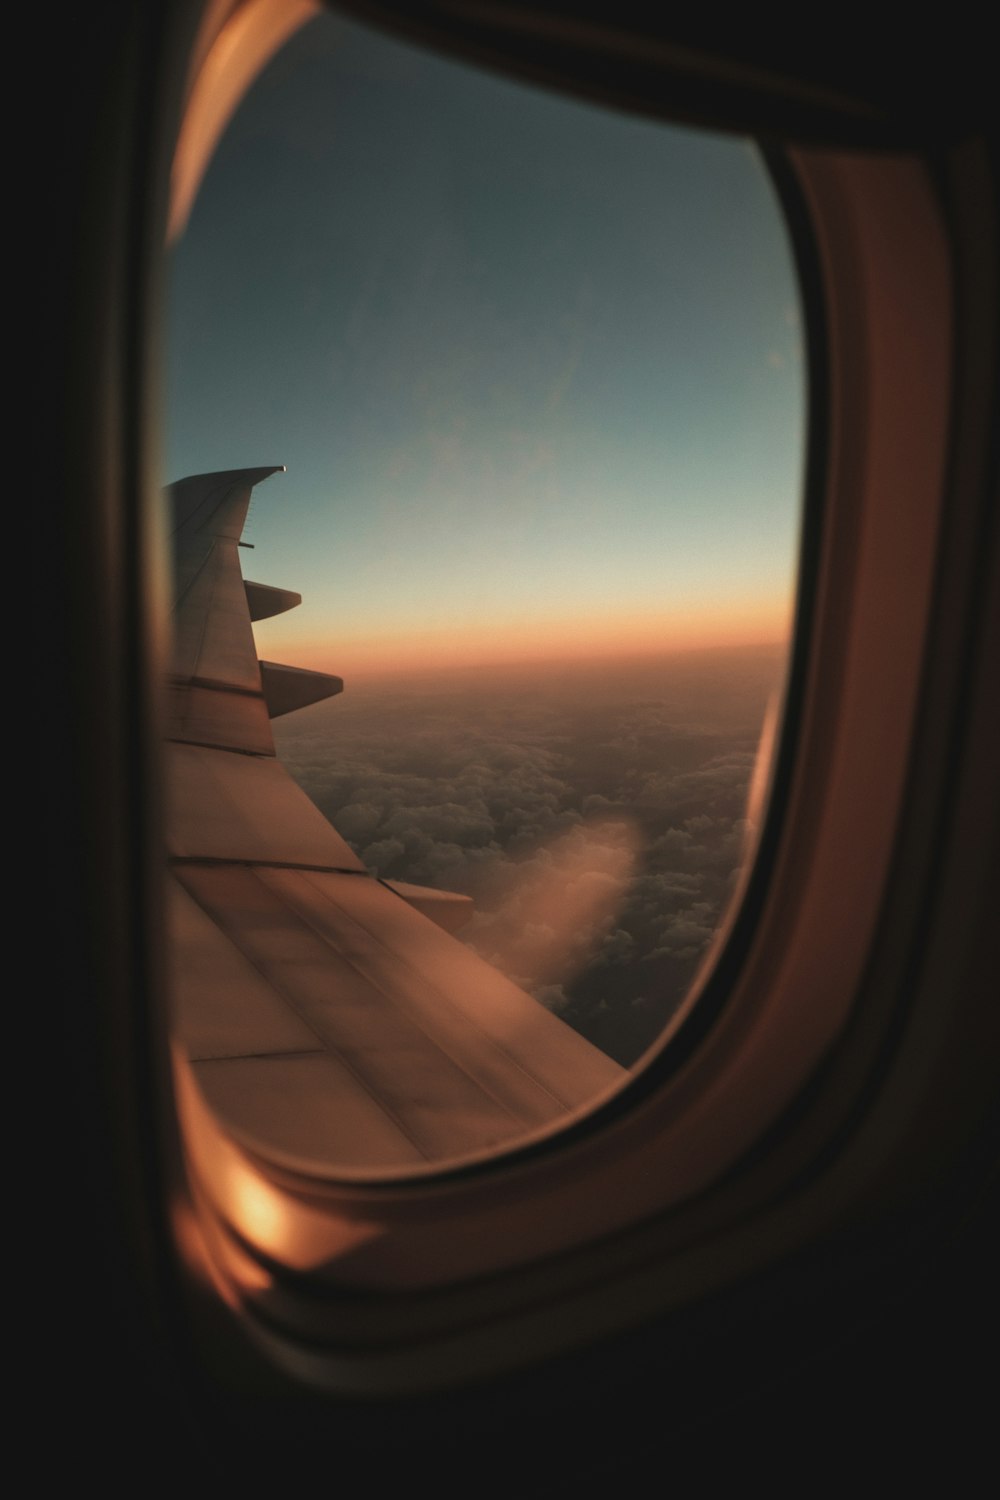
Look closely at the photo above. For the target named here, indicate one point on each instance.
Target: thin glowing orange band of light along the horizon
(527, 643)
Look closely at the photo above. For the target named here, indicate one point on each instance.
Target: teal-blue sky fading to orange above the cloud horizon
(534, 367)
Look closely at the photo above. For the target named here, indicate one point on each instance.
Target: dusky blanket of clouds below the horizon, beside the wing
(597, 820)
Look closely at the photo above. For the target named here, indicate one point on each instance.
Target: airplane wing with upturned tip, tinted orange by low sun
(331, 1018)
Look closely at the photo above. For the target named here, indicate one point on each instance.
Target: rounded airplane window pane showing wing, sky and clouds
(536, 376)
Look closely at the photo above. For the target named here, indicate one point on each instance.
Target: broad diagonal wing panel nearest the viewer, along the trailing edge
(353, 967)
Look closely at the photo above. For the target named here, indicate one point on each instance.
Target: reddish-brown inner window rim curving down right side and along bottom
(660, 1151)
